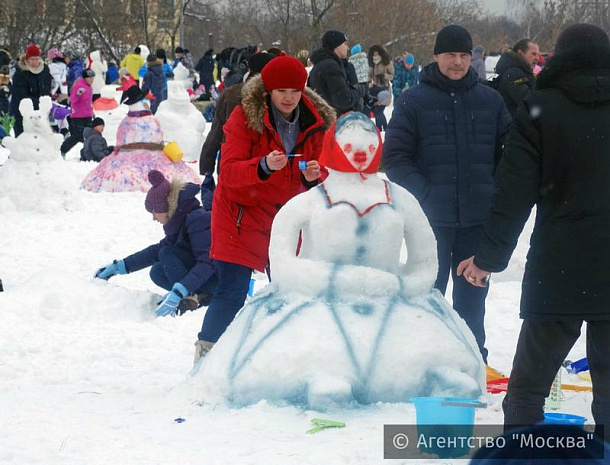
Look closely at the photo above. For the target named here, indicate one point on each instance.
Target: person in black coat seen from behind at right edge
(556, 158)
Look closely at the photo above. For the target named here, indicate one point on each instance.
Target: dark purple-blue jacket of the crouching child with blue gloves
(189, 228)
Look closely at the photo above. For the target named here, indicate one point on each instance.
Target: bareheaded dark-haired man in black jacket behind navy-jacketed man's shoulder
(515, 73)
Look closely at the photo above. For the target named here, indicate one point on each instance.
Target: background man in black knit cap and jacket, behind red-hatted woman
(329, 77)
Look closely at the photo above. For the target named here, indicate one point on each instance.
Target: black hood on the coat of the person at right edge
(582, 74)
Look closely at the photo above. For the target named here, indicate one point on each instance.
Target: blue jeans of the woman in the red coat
(228, 299)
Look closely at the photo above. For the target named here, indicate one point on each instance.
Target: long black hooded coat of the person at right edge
(557, 158)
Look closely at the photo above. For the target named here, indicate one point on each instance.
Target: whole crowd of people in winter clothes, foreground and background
(477, 154)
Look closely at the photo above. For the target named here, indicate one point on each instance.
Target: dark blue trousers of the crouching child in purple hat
(173, 265)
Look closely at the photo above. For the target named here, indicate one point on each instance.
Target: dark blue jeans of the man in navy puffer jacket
(455, 245)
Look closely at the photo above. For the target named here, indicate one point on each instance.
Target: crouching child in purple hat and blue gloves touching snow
(180, 263)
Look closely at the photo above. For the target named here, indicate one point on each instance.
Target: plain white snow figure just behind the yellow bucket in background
(181, 121)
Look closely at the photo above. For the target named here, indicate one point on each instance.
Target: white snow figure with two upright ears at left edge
(35, 177)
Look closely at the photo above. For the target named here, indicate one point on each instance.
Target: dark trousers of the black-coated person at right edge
(541, 350)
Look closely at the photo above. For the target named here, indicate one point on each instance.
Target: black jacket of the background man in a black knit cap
(329, 79)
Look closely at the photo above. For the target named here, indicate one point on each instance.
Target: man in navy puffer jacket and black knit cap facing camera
(442, 145)
